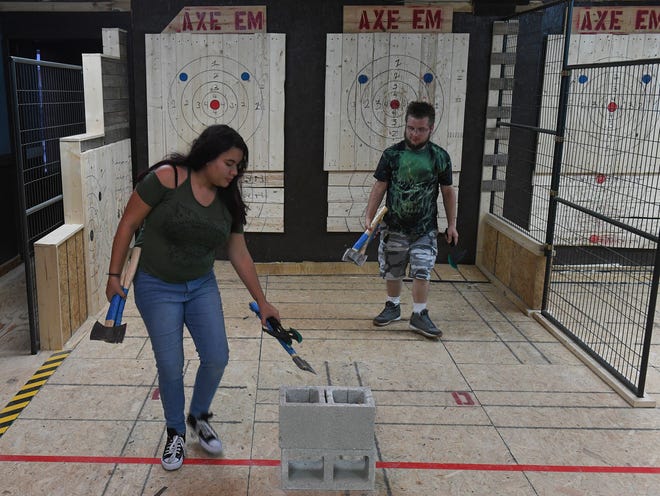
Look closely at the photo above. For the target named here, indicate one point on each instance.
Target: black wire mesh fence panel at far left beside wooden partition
(48, 104)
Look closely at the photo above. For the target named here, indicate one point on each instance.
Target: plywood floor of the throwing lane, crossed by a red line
(497, 407)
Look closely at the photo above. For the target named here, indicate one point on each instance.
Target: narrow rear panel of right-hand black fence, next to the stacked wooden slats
(532, 124)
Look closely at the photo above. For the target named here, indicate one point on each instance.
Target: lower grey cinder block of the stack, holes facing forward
(324, 469)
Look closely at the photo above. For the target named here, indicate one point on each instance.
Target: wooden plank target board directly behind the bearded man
(370, 80)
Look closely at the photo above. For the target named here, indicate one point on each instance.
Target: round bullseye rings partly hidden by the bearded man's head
(380, 93)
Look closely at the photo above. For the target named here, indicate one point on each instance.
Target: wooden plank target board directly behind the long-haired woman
(195, 80)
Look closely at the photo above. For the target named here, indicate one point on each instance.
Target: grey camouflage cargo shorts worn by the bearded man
(397, 250)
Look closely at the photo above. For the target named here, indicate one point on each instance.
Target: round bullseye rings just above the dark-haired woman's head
(215, 90)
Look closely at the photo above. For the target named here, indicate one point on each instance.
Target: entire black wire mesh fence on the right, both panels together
(582, 176)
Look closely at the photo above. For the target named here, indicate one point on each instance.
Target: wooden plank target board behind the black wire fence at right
(610, 159)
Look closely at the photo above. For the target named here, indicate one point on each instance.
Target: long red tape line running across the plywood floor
(485, 467)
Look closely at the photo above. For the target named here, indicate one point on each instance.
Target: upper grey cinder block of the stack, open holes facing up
(327, 417)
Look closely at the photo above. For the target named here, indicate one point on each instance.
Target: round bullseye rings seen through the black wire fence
(611, 106)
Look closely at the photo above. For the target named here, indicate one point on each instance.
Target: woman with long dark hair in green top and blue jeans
(185, 207)
